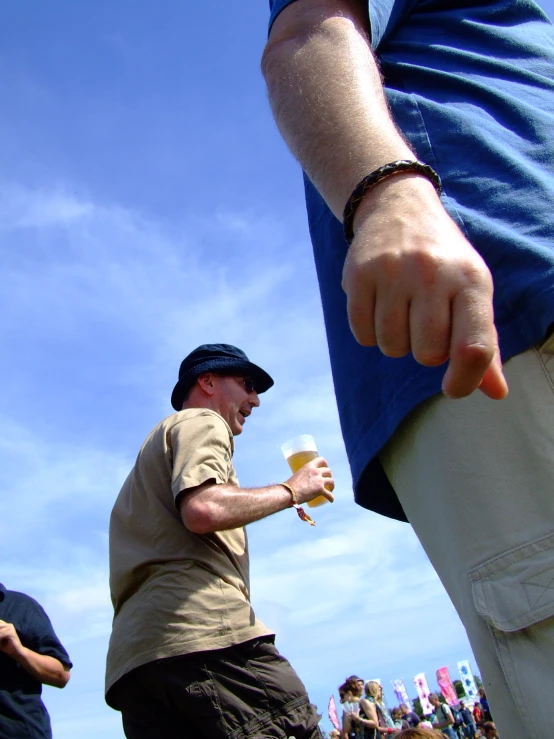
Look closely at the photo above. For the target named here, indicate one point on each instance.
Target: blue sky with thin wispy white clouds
(148, 205)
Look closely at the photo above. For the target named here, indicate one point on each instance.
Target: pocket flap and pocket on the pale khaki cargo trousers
(516, 589)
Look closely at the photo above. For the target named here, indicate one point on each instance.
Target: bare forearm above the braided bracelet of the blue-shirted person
(326, 95)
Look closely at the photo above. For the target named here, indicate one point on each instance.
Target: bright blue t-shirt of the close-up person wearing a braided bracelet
(471, 86)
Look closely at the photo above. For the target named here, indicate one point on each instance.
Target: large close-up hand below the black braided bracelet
(414, 283)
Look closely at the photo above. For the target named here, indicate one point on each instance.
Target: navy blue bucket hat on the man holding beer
(222, 358)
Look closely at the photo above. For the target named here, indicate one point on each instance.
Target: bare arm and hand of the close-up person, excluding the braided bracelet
(413, 282)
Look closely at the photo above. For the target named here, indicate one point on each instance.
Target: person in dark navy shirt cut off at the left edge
(30, 655)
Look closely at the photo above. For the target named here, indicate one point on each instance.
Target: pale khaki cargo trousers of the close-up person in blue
(476, 480)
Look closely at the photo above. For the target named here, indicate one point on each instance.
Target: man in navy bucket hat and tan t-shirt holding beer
(187, 653)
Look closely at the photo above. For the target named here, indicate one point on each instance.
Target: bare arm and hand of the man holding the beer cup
(213, 507)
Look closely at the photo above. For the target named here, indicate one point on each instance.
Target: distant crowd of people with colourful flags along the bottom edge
(365, 715)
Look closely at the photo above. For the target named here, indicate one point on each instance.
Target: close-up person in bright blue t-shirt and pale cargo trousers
(424, 129)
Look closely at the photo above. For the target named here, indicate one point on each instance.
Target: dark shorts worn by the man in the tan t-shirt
(248, 691)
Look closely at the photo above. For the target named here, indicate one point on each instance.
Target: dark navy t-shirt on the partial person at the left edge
(22, 712)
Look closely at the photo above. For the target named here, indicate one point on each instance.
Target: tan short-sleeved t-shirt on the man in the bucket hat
(175, 592)
